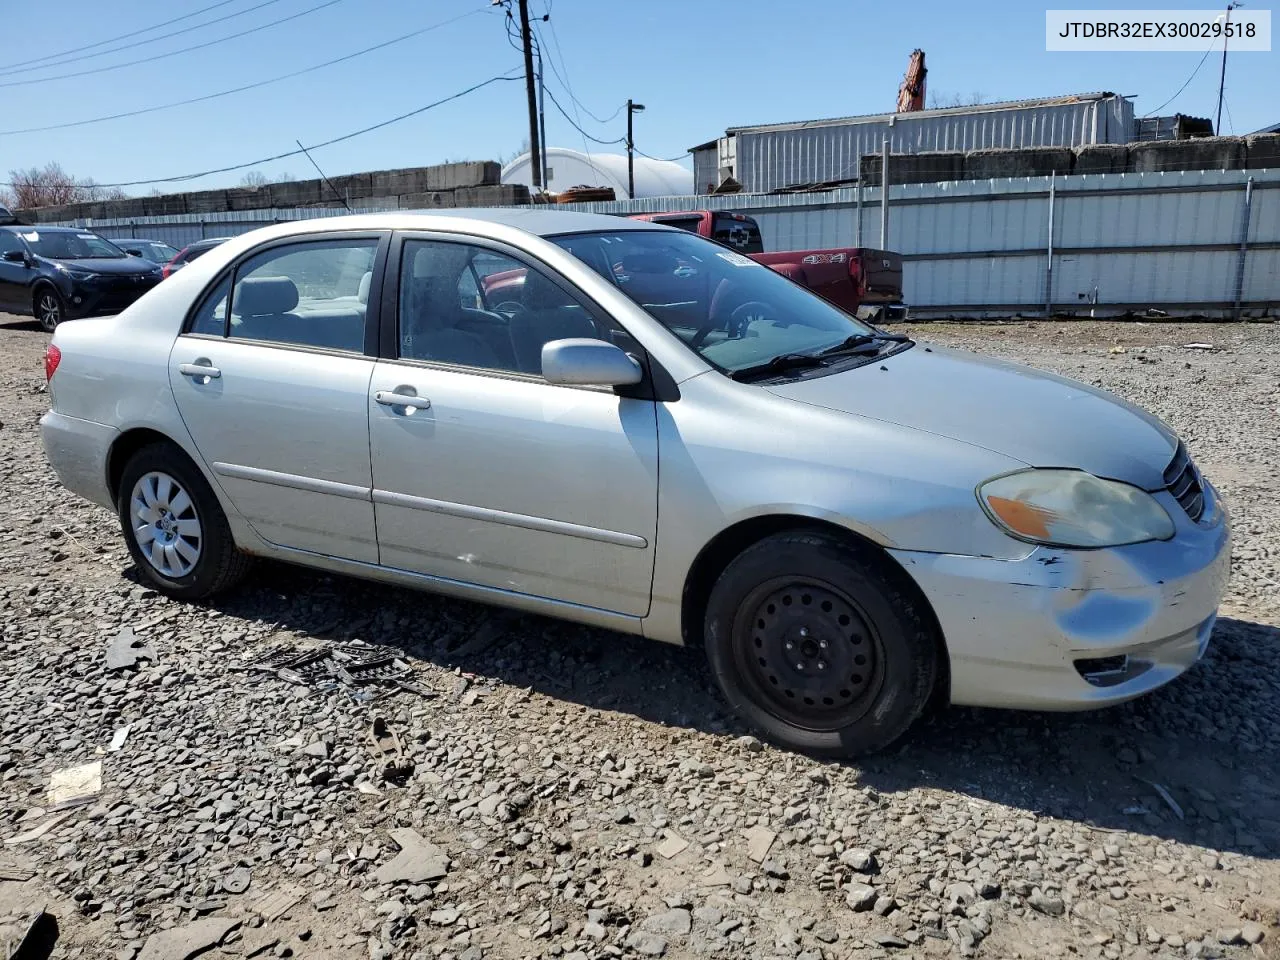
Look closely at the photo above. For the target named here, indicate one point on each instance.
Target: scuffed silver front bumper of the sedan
(1068, 630)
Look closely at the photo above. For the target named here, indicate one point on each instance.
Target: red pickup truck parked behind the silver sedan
(867, 284)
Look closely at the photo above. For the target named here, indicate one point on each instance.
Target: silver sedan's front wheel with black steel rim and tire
(822, 644)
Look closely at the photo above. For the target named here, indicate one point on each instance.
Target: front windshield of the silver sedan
(733, 312)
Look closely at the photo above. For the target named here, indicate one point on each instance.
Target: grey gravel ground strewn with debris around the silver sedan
(578, 794)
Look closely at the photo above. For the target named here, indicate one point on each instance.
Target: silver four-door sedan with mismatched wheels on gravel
(627, 426)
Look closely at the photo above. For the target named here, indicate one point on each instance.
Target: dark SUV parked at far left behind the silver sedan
(62, 273)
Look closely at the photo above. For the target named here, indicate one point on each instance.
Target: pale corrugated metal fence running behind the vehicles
(1122, 243)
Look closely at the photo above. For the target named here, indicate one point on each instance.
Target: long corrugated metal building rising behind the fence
(771, 157)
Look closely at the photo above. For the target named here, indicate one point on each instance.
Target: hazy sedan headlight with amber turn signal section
(1073, 509)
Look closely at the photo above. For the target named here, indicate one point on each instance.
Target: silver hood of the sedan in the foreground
(1025, 414)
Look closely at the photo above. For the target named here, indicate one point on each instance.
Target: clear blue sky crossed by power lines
(700, 66)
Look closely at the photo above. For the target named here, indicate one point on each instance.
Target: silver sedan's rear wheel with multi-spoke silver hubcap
(175, 528)
